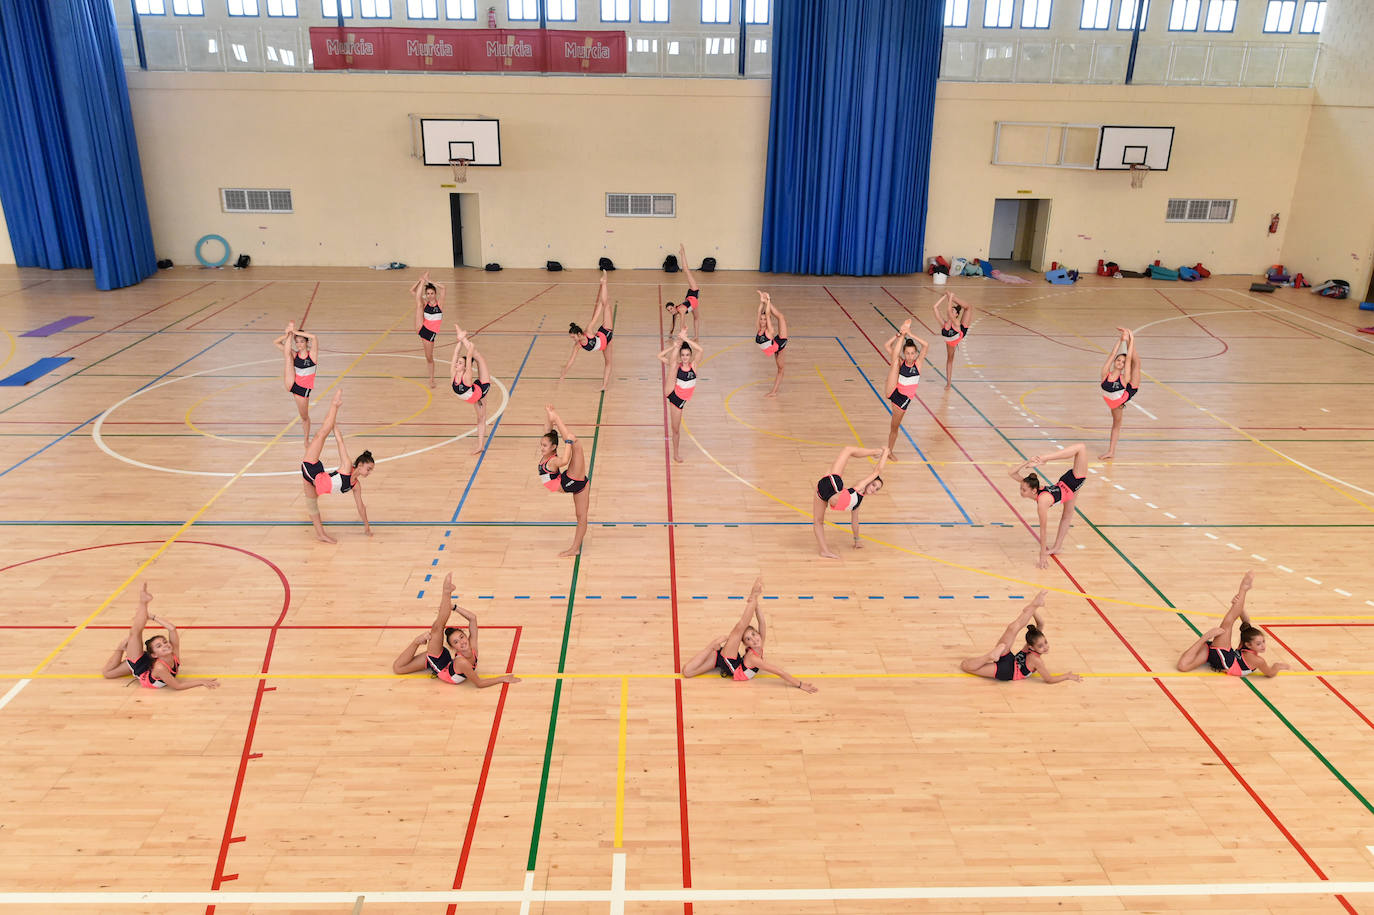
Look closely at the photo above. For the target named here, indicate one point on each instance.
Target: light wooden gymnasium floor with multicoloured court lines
(164, 453)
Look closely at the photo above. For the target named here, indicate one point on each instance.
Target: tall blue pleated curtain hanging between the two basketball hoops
(854, 94)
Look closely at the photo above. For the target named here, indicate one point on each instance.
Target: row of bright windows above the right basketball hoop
(1185, 16)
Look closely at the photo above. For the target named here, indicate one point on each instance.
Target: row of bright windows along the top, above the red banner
(712, 12)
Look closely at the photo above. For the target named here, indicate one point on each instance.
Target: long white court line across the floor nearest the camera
(696, 895)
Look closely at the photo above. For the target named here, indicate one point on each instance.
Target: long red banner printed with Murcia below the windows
(469, 50)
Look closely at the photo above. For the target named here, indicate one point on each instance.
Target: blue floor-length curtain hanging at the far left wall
(71, 182)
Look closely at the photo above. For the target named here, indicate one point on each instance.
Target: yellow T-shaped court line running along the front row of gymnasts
(627, 678)
